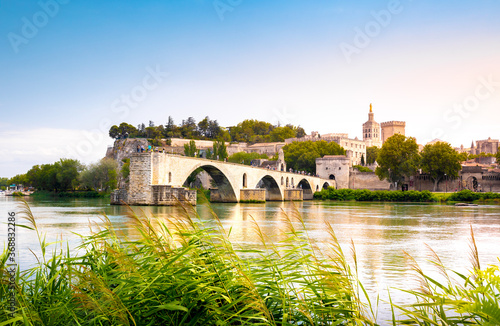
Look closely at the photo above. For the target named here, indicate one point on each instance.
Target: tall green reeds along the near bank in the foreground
(180, 271)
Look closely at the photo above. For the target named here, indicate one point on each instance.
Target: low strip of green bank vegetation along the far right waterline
(404, 196)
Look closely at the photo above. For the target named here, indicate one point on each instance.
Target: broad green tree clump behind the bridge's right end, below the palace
(301, 156)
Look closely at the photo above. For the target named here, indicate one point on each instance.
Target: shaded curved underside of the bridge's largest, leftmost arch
(225, 189)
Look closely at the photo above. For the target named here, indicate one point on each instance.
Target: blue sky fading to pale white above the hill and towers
(70, 69)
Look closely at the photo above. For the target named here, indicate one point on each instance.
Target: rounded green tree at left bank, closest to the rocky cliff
(101, 176)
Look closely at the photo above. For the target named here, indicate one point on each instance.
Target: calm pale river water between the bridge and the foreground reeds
(380, 231)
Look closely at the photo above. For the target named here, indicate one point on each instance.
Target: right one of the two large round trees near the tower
(440, 160)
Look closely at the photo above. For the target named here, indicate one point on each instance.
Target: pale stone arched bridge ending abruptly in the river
(156, 178)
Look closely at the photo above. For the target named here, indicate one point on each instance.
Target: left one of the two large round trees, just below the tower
(398, 158)
